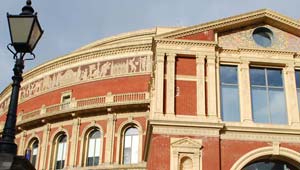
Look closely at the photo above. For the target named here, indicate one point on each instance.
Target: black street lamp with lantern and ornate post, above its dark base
(25, 32)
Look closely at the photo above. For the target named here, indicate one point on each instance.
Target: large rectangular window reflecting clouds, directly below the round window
(268, 97)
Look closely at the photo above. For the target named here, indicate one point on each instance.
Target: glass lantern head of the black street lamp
(25, 32)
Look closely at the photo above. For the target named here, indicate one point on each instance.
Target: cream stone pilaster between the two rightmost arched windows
(110, 133)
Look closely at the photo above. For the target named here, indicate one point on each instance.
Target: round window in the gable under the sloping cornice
(263, 36)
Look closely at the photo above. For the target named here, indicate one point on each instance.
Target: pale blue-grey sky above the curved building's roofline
(70, 24)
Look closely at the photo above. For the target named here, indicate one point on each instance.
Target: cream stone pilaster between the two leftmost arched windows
(45, 142)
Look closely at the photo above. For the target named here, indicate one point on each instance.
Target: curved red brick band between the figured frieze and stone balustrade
(91, 89)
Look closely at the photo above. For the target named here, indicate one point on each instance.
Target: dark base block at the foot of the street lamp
(13, 162)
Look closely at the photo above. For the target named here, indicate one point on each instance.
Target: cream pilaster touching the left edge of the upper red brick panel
(170, 108)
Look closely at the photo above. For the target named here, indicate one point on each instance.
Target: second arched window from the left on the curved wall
(61, 152)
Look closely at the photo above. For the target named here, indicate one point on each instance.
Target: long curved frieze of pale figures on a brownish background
(83, 73)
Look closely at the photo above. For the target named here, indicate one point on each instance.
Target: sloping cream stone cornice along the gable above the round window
(238, 20)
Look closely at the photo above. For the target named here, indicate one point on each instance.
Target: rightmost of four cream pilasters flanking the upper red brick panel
(211, 87)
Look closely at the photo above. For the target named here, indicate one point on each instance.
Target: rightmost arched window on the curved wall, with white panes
(131, 146)
